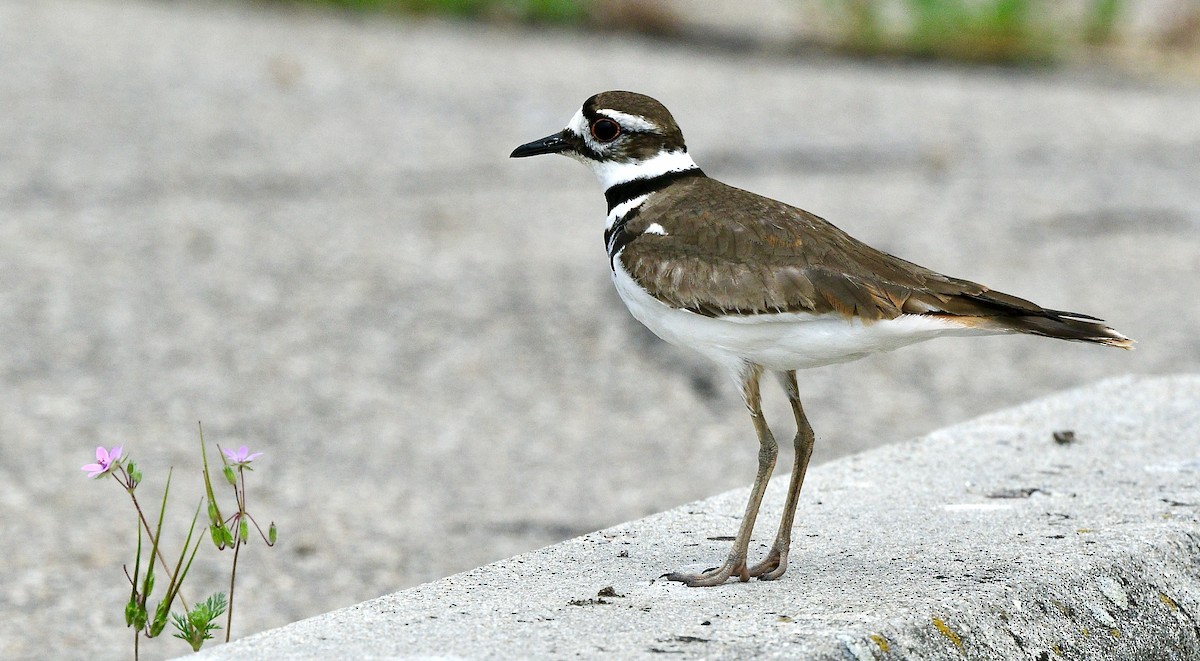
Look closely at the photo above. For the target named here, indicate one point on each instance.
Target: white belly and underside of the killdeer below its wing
(783, 341)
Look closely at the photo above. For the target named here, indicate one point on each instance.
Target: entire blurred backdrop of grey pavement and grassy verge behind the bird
(298, 224)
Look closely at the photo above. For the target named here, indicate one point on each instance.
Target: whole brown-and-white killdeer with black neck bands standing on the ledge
(757, 285)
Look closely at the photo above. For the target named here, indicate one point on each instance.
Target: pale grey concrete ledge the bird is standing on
(987, 540)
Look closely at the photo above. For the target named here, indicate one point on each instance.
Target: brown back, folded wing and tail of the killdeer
(728, 251)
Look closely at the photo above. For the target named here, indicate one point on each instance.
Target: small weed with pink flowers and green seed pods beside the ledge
(196, 624)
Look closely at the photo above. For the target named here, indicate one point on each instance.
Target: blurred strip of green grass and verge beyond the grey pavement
(1131, 35)
